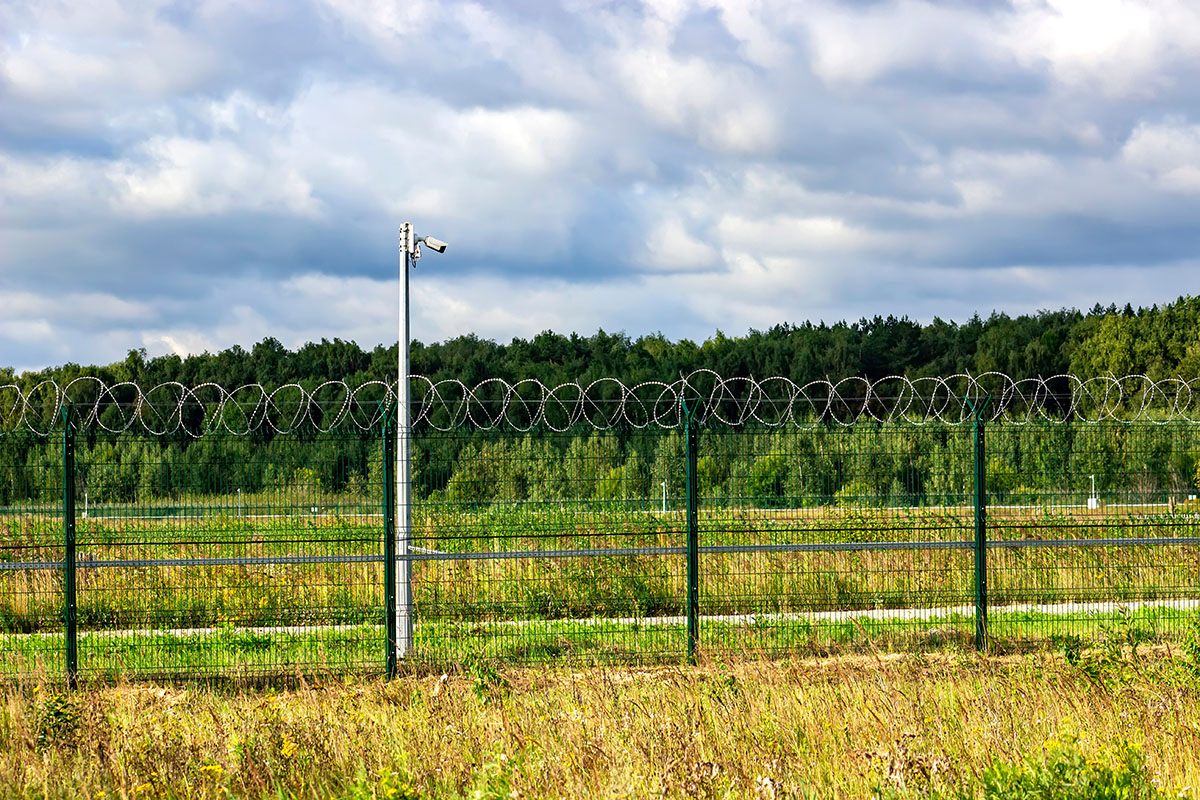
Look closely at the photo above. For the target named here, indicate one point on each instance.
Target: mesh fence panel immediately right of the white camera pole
(547, 545)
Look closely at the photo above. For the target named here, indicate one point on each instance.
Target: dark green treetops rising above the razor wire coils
(1160, 342)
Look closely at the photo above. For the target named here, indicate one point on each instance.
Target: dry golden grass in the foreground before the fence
(829, 729)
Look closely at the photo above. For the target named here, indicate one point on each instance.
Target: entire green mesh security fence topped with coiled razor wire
(665, 522)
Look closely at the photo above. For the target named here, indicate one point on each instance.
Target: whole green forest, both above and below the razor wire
(892, 464)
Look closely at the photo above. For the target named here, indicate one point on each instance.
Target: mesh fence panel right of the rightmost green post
(1094, 531)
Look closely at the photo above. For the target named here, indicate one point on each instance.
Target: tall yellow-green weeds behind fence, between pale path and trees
(500, 590)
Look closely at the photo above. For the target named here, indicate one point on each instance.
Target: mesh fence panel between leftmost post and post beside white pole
(230, 556)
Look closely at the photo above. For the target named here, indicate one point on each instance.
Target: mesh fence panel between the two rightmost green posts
(833, 538)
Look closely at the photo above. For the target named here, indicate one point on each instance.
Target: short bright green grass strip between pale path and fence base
(232, 654)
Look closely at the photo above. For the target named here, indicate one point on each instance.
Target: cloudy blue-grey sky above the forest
(185, 177)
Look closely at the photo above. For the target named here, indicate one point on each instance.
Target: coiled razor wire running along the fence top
(495, 404)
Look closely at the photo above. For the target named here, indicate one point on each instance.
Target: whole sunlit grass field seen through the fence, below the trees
(531, 609)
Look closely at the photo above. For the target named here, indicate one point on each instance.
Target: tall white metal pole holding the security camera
(404, 484)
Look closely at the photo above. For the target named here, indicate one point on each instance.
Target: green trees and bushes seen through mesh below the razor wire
(867, 465)
